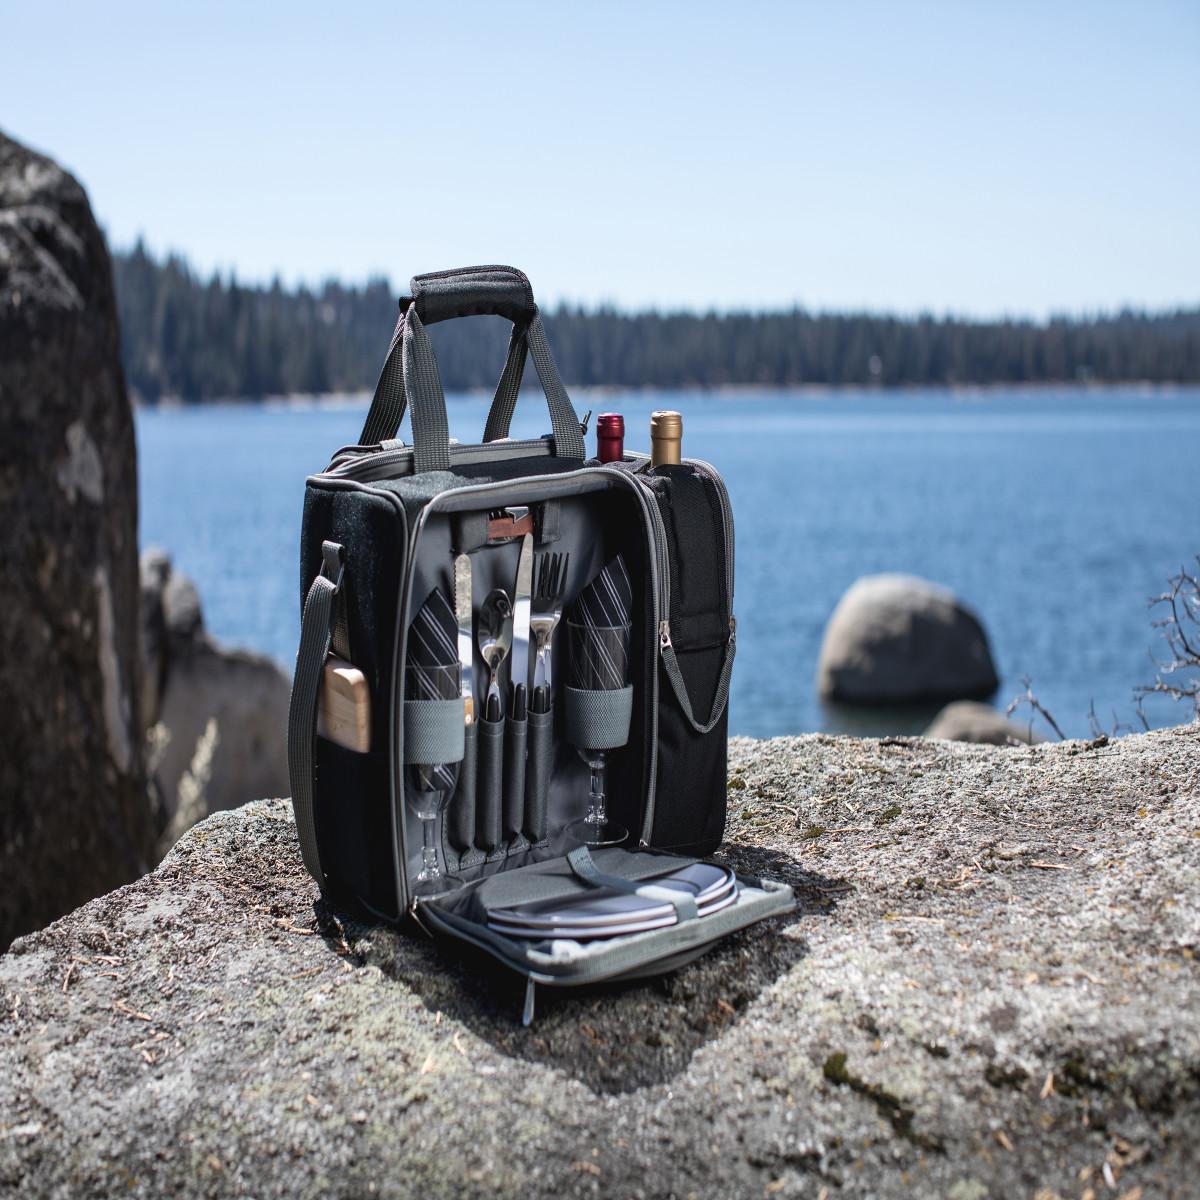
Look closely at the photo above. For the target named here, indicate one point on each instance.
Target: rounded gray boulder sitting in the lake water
(899, 640)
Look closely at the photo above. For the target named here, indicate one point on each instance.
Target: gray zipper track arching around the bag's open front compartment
(533, 491)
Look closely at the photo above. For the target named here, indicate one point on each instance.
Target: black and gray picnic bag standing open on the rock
(386, 525)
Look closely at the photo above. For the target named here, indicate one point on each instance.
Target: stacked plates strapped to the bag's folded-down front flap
(607, 913)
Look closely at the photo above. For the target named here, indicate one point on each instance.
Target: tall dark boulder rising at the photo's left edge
(75, 819)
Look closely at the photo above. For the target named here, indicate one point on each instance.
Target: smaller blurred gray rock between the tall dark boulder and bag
(217, 717)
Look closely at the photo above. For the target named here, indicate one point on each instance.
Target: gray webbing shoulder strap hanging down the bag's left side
(317, 625)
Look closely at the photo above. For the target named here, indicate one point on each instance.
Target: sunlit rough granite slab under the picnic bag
(991, 988)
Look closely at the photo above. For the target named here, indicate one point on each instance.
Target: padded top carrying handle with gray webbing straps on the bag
(411, 375)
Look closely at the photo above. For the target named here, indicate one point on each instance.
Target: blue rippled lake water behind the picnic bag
(1055, 514)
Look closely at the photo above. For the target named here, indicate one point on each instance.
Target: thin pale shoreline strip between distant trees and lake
(335, 400)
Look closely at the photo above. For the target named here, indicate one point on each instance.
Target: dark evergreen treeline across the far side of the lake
(195, 339)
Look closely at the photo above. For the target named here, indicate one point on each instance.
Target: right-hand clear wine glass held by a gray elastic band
(598, 664)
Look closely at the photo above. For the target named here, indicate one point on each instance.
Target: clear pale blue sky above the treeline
(968, 158)
